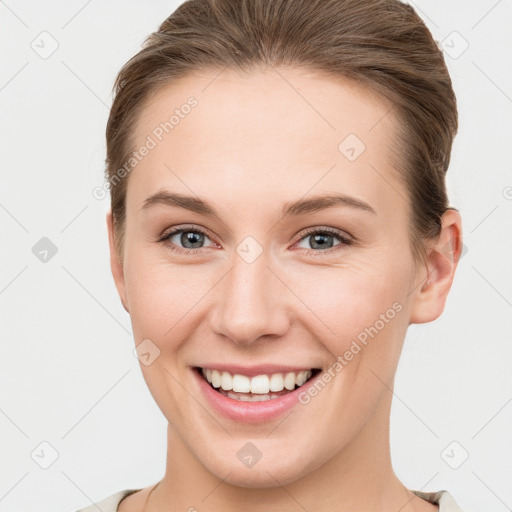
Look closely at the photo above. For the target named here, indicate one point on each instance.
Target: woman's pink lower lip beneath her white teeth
(249, 412)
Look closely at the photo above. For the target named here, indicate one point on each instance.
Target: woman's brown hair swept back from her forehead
(381, 44)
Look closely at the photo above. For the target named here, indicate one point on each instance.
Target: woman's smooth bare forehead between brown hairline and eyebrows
(285, 130)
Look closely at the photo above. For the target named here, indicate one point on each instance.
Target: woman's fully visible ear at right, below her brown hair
(442, 259)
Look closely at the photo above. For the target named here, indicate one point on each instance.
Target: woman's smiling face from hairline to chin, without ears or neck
(252, 291)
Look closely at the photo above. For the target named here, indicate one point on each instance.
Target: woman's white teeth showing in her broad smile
(260, 384)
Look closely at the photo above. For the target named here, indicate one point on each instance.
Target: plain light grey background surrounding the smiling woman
(68, 374)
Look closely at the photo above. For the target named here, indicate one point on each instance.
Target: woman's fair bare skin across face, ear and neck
(252, 144)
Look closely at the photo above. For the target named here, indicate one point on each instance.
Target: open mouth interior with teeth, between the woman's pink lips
(259, 388)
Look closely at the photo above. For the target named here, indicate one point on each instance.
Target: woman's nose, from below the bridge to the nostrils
(251, 303)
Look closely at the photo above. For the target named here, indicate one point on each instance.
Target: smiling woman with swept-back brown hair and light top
(278, 219)
